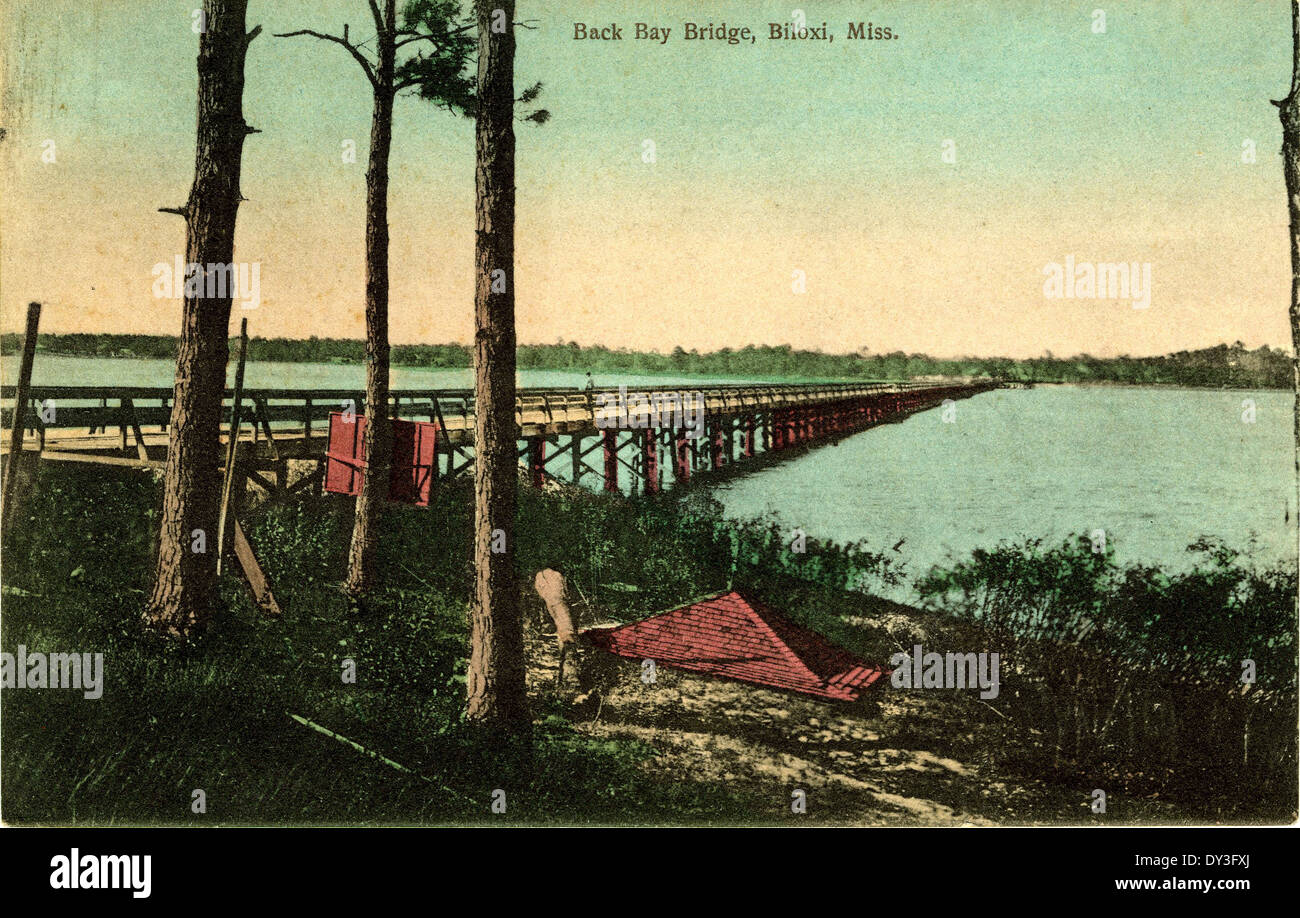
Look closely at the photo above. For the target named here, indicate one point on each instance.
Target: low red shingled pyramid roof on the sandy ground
(736, 636)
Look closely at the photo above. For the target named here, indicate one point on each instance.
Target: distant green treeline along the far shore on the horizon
(1224, 366)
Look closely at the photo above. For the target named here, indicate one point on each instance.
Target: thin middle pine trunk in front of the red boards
(379, 428)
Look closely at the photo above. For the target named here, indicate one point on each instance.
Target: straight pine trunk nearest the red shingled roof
(496, 683)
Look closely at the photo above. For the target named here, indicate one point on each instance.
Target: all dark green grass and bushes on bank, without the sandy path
(216, 716)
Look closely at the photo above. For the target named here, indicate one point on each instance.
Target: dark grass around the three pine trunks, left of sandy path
(215, 716)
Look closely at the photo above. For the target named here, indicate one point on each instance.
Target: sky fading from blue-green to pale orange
(774, 161)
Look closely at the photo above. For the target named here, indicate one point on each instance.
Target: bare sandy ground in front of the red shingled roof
(896, 757)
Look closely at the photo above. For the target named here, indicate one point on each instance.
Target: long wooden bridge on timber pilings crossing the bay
(649, 434)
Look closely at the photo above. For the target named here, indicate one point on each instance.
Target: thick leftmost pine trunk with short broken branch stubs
(185, 586)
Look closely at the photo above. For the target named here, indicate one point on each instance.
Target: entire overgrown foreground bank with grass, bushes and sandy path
(1175, 695)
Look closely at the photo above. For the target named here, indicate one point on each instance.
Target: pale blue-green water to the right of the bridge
(1154, 469)
